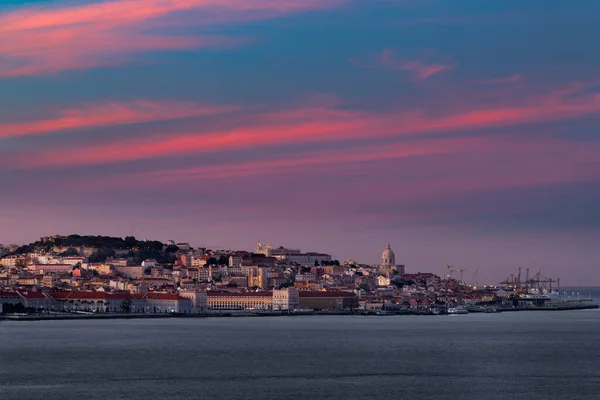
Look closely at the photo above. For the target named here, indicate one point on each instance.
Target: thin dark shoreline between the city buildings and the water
(109, 316)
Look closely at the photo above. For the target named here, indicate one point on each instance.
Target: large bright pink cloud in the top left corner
(46, 40)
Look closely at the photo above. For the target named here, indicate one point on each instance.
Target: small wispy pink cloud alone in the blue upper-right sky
(389, 60)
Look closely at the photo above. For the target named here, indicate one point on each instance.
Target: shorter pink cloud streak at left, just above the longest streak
(111, 114)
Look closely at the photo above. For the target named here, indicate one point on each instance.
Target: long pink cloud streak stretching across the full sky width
(318, 126)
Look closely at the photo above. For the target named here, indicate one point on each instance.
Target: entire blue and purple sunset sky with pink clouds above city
(462, 133)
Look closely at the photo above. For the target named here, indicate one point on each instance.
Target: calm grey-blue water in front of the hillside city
(527, 355)
